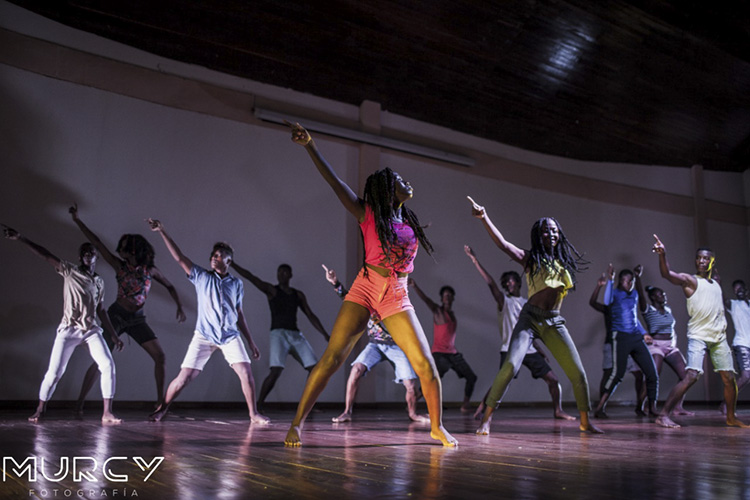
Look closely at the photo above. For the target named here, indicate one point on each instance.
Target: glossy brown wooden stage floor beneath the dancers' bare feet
(216, 453)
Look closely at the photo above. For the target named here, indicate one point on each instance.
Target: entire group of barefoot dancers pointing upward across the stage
(378, 303)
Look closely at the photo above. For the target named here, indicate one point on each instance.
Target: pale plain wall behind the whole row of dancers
(123, 160)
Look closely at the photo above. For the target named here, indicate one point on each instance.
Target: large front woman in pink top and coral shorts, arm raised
(391, 236)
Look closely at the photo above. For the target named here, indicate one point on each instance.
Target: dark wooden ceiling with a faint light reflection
(664, 82)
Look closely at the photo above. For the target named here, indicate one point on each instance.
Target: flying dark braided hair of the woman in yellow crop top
(564, 252)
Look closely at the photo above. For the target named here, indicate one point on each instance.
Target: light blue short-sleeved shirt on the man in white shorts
(218, 300)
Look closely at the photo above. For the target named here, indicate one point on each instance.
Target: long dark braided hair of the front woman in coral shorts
(380, 194)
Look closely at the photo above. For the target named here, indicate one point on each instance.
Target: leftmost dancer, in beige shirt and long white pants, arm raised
(82, 321)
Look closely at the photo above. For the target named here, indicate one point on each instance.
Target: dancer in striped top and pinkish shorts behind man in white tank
(661, 339)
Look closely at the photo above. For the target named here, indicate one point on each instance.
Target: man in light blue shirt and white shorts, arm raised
(220, 324)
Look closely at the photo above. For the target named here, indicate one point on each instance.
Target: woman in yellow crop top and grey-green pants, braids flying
(550, 268)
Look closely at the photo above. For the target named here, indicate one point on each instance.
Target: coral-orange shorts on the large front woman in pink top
(381, 296)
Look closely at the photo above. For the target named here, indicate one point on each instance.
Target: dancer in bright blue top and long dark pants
(627, 337)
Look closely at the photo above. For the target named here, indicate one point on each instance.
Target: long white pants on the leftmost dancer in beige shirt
(67, 339)
